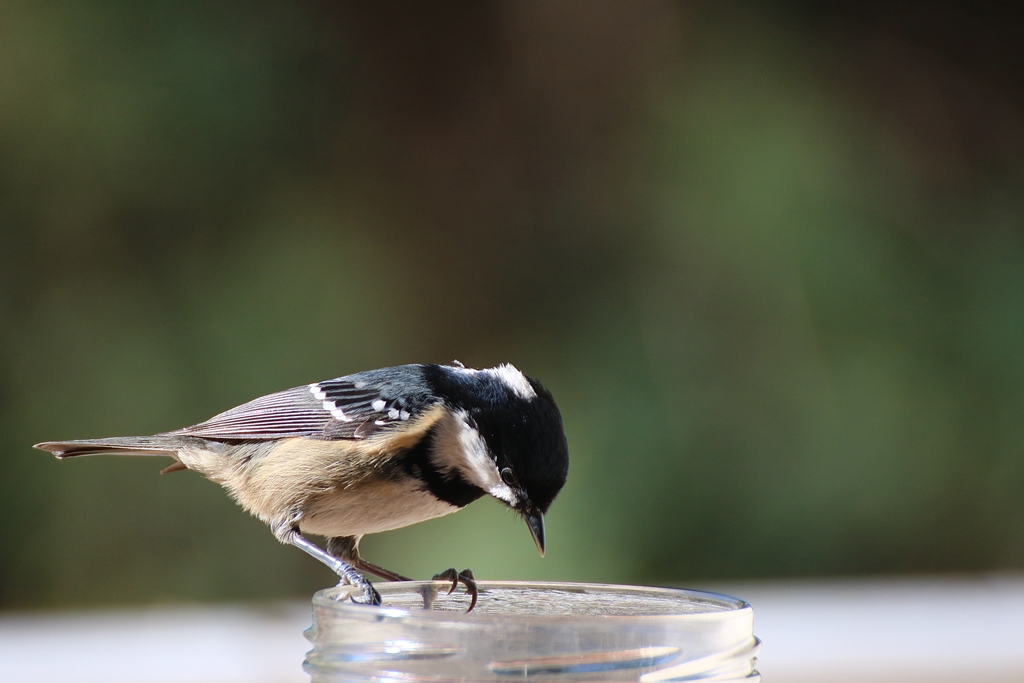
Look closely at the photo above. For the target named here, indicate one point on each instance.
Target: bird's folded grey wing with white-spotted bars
(348, 408)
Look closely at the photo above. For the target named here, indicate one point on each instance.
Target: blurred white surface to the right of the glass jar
(941, 630)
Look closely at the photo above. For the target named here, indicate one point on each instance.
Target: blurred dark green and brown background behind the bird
(770, 259)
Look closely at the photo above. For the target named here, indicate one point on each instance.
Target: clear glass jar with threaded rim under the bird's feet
(537, 631)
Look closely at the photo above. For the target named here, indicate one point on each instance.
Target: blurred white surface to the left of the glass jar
(233, 645)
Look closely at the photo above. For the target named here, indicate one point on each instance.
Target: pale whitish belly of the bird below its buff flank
(368, 510)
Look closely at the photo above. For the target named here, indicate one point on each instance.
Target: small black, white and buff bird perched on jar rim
(372, 452)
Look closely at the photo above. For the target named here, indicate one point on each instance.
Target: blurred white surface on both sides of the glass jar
(884, 631)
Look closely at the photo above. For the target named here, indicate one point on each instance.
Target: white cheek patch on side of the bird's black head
(460, 447)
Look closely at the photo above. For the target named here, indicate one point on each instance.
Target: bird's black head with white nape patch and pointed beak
(522, 431)
